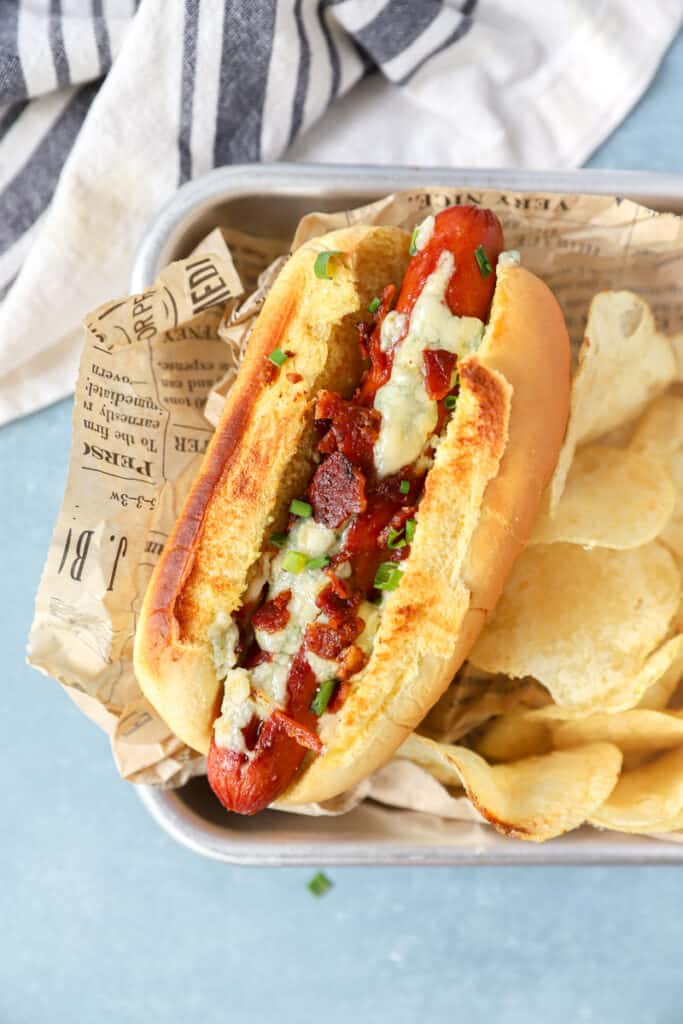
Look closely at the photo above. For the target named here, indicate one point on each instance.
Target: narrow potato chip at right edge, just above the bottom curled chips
(641, 732)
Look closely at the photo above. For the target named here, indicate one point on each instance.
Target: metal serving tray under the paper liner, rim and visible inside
(270, 200)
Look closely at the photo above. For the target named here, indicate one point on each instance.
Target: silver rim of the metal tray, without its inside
(583, 847)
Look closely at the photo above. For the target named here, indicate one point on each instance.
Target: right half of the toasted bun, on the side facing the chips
(482, 498)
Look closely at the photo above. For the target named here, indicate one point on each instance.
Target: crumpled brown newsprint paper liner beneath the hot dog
(154, 374)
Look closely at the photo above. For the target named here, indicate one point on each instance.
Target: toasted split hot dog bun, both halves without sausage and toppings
(481, 500)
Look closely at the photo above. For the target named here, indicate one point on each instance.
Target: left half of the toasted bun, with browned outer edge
(259, 460)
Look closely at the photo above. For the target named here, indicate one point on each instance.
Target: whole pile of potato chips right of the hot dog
(569, 710)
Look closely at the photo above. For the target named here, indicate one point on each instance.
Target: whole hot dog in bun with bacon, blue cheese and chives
(370, 485)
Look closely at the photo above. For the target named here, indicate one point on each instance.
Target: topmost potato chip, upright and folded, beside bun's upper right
(623, 365)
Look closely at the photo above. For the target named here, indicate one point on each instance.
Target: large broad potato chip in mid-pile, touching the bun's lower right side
(583, 623)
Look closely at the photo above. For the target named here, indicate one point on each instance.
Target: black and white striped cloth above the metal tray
(108, 106)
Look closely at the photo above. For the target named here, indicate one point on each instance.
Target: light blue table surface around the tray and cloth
(104, 919)
